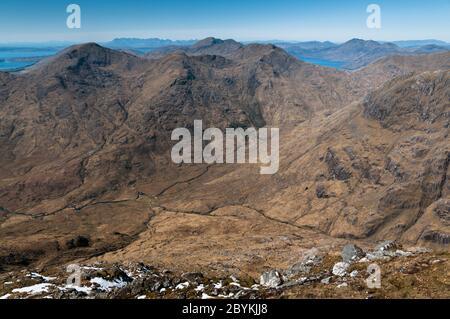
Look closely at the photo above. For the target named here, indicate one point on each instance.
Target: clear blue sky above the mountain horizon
(102, 20)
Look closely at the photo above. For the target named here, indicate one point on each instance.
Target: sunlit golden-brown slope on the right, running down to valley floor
(368, 172)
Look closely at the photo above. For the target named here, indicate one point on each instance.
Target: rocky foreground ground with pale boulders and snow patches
(412, 275)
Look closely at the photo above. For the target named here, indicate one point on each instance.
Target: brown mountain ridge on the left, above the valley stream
(90, 100)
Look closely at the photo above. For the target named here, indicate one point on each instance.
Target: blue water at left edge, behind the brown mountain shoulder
(12, 59)
